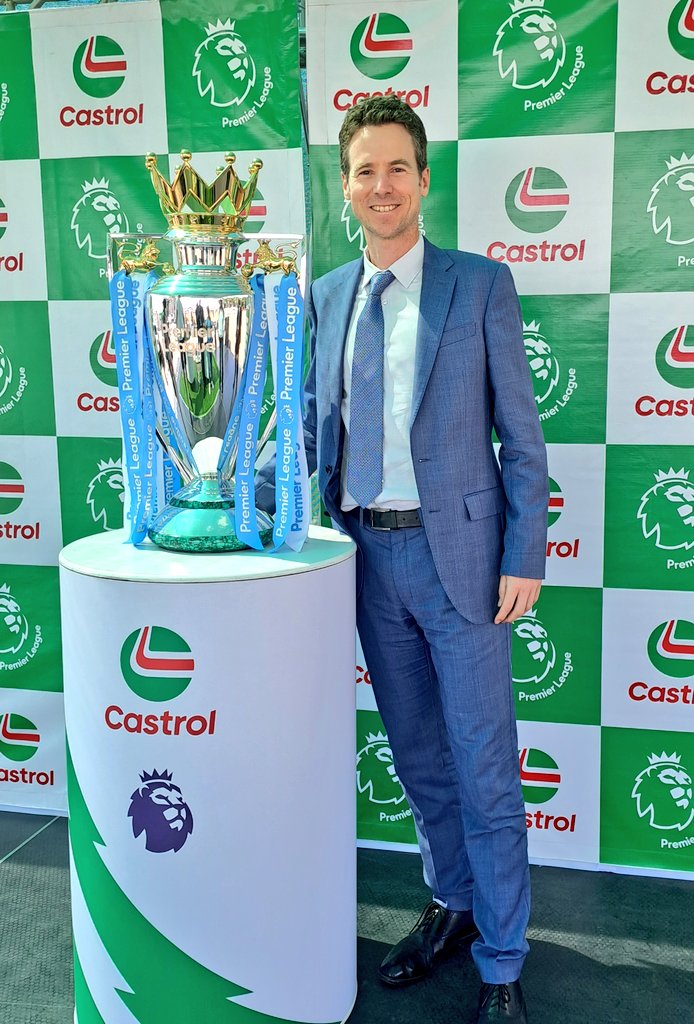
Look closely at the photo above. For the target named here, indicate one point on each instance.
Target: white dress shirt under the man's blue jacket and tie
(401, 304)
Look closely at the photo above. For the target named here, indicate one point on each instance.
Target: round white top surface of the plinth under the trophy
(111, 557)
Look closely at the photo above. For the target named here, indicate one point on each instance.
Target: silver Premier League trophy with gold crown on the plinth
(198, 332)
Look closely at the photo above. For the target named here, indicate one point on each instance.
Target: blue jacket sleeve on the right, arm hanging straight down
(523, 456)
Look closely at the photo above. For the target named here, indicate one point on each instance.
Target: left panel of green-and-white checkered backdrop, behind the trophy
(84, 94)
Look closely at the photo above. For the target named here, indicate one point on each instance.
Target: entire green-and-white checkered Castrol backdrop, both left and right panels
(562, 143)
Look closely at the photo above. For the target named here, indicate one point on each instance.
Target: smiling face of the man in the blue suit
(384, 185)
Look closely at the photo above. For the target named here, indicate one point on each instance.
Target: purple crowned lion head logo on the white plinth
(158, 809)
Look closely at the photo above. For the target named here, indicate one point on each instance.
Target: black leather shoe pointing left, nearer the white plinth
(436, 935)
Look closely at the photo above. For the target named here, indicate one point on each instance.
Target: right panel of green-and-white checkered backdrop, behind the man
(562, 143)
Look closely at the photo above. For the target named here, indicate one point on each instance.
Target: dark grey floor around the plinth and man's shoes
(606, 949)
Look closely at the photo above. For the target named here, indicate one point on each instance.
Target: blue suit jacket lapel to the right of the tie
(438, 290)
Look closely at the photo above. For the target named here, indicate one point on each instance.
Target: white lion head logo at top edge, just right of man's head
(530, 46)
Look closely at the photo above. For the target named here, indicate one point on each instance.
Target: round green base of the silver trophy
(201, 518)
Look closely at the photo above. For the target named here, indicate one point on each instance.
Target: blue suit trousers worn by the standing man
(444, 689)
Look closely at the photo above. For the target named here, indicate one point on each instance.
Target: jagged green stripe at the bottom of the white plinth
(168, 987)
